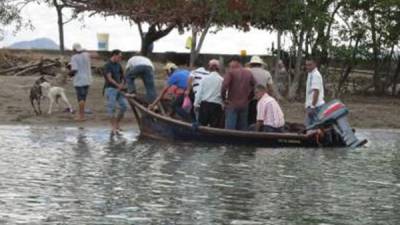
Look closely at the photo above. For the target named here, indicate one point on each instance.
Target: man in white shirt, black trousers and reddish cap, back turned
(208, 101)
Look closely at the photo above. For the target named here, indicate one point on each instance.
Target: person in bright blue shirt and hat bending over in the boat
(178, 79)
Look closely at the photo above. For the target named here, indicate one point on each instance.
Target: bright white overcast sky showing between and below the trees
(126, 37)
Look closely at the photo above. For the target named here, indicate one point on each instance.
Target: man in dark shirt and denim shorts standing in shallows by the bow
(114, 85)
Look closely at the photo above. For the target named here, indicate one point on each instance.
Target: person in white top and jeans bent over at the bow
(140, 66)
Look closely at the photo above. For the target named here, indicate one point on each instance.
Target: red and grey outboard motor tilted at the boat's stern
(334, 114)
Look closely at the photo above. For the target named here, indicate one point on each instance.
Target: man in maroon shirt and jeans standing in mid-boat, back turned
(237, 90)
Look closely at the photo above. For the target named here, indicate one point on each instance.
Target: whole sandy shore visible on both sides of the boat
(15, 108)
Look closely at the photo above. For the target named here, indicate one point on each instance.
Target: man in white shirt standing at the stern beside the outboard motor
(314, 92)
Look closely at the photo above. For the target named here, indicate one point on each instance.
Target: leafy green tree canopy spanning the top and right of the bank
(343, 30)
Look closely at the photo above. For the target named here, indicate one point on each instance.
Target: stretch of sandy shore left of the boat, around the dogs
(16, 108)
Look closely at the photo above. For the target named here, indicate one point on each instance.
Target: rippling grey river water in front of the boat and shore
(63, 175)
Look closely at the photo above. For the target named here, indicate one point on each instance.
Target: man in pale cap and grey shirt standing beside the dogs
(82, 77)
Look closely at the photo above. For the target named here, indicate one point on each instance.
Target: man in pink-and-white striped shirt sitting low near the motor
(270, 117)
